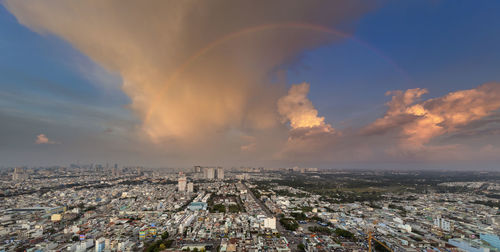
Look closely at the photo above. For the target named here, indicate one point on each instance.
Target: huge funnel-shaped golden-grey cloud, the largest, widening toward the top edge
(191, 68)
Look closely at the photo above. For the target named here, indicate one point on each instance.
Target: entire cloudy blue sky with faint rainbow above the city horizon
(328, 84)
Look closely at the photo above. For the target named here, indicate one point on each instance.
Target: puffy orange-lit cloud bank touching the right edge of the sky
(417, 123)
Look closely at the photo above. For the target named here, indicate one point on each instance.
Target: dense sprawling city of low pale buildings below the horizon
(114, 208)
